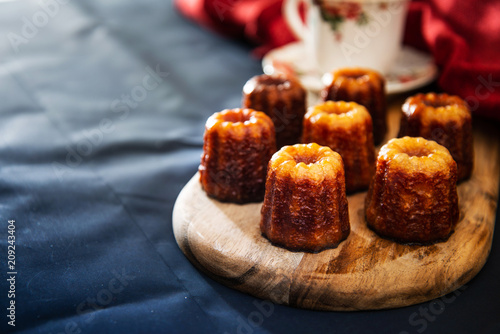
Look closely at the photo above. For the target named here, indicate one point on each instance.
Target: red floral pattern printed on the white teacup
(335, 13)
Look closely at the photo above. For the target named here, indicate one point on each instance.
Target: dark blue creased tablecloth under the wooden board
(103, 105)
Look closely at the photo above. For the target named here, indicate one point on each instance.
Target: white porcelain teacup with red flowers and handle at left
(364, 33)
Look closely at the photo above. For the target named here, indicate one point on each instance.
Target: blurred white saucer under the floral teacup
(412, 69)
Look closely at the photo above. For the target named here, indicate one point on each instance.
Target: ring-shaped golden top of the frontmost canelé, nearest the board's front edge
(306, 161)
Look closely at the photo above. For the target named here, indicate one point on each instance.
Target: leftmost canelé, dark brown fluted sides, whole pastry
(237, 146)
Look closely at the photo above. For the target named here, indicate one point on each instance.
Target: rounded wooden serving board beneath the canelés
(365, 271)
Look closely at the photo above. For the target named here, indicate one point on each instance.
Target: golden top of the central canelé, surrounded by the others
(339, 114)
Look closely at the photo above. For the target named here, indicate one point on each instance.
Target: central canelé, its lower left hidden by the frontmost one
(345, 127)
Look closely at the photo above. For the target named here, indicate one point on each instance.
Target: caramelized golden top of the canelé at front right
(416, 155)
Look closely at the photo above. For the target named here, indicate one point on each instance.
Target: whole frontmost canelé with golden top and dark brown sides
(305, 205)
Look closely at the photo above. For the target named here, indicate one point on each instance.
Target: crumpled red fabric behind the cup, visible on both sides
(462, 35)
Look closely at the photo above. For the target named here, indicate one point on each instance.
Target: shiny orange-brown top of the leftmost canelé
(236, 122)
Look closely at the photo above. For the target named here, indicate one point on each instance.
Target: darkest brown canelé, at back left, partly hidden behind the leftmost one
(283, 99)
